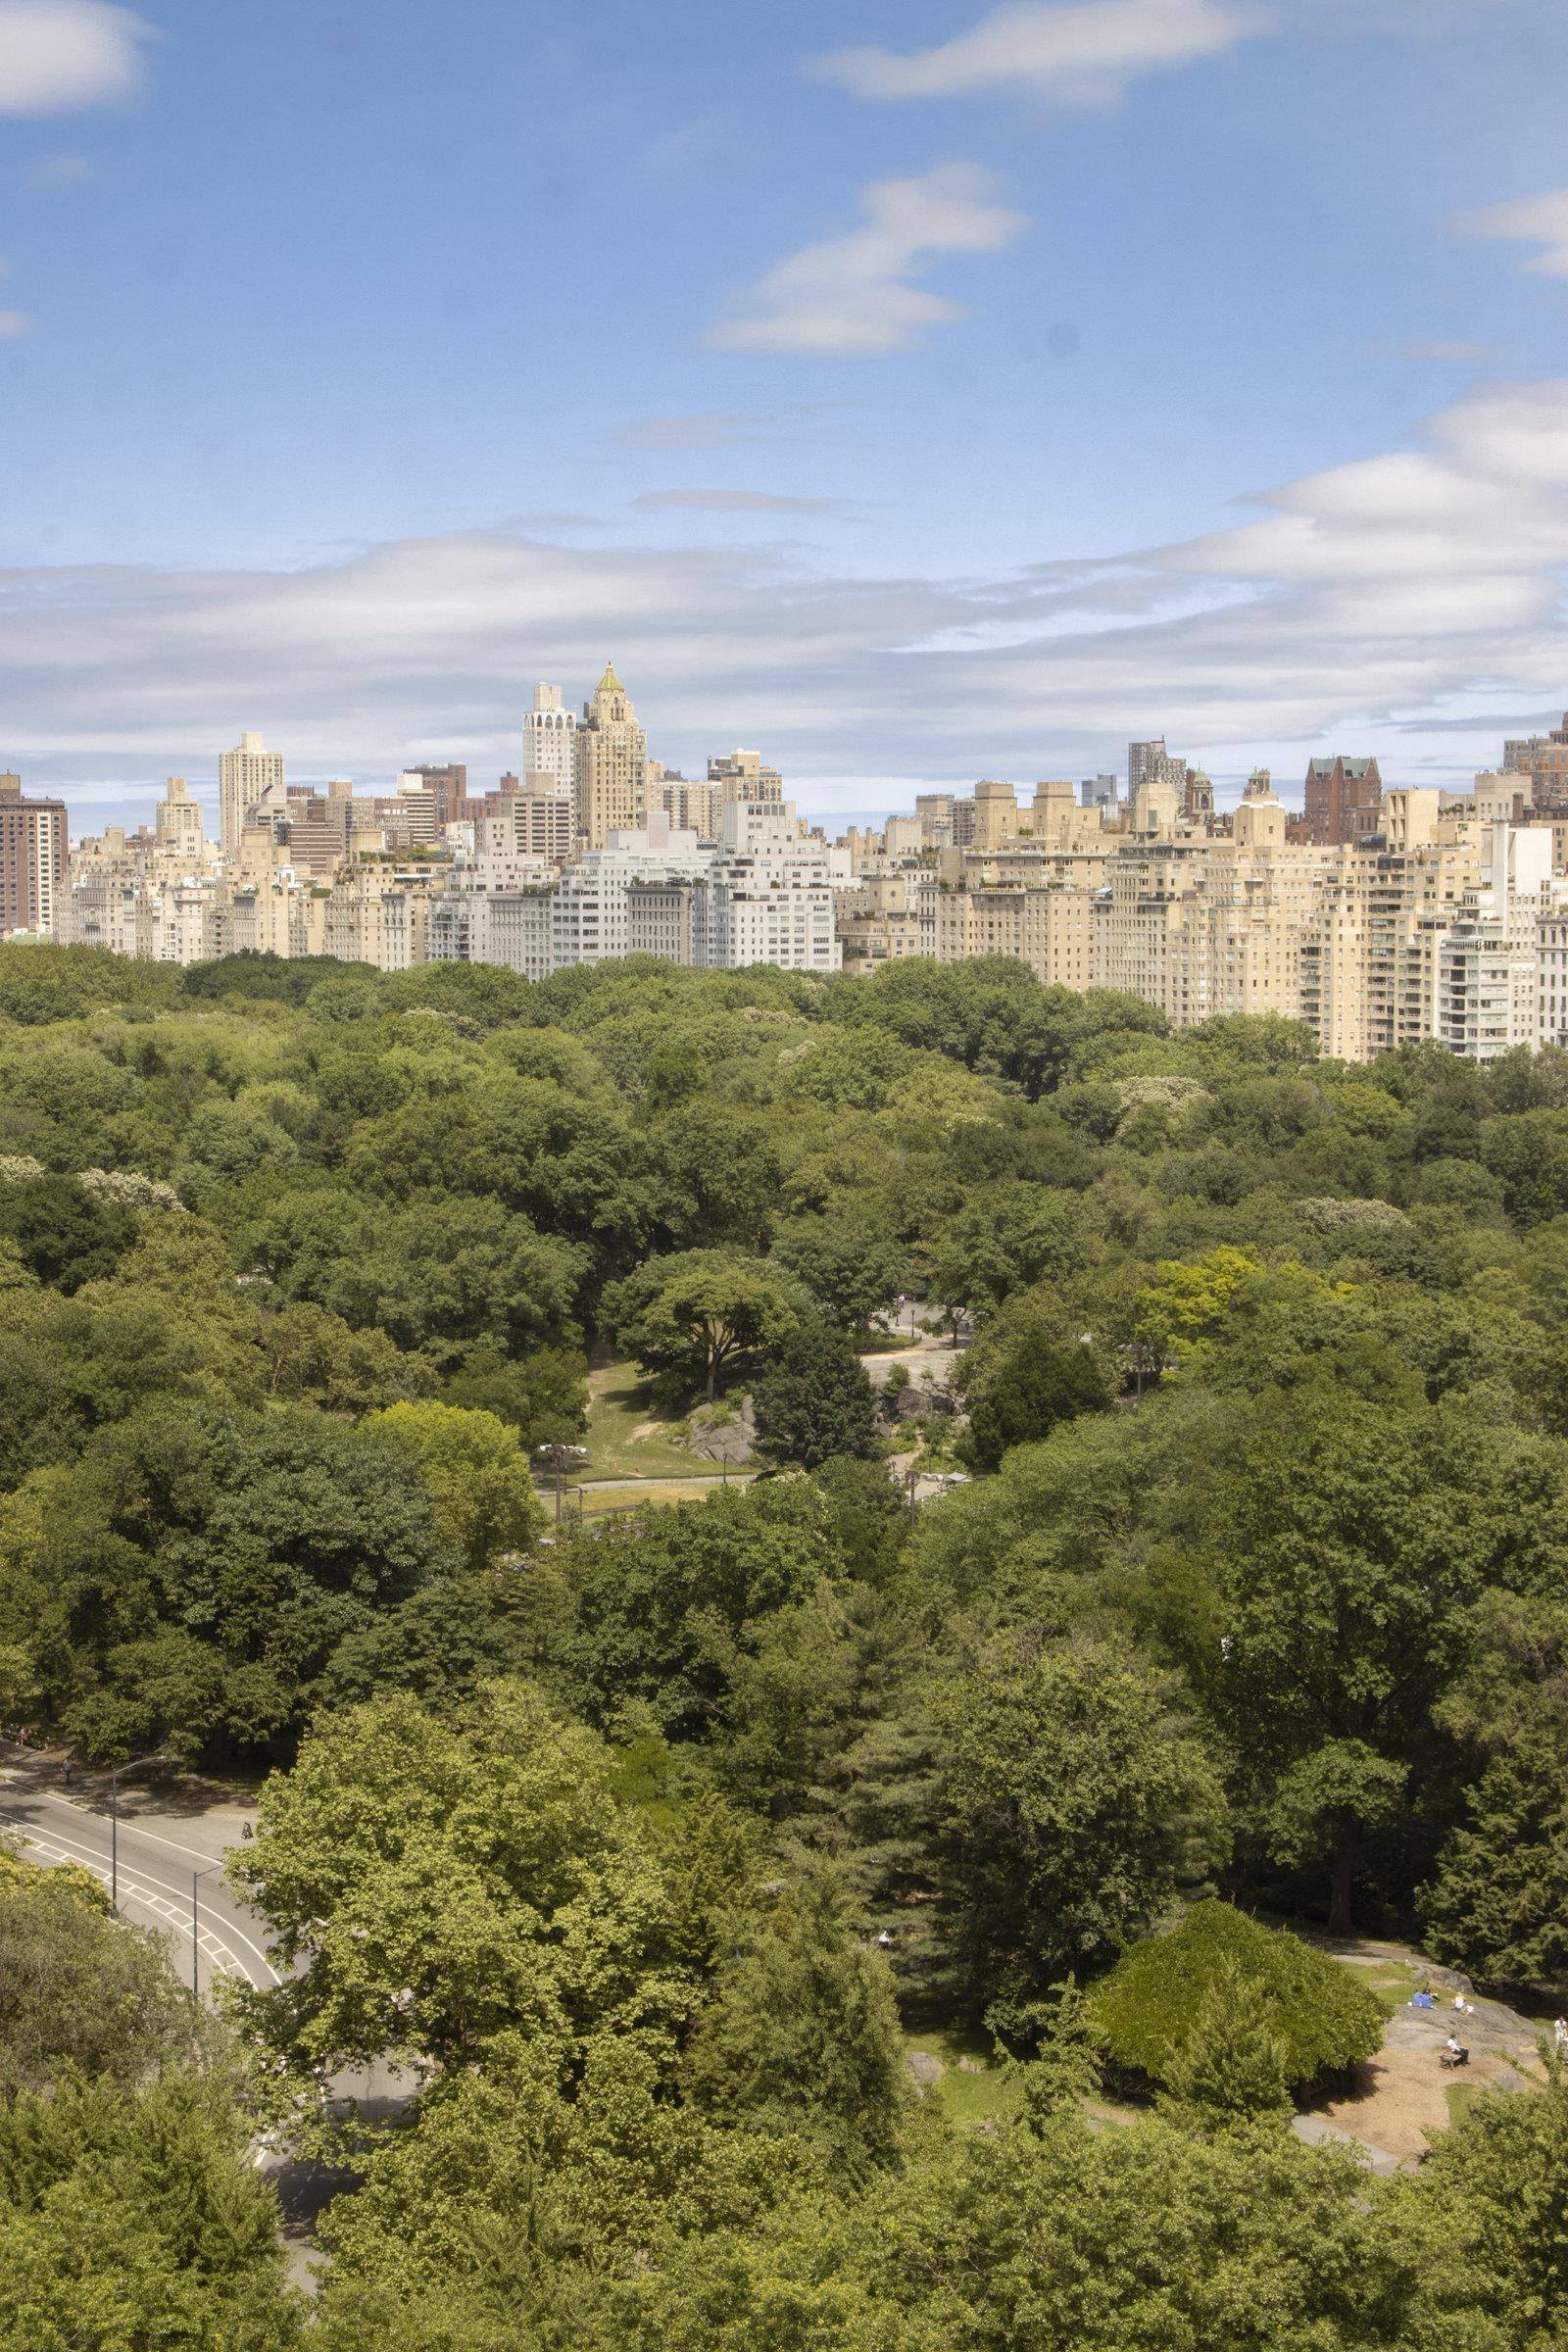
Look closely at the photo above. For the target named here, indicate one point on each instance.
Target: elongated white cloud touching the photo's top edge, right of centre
(1076, 55)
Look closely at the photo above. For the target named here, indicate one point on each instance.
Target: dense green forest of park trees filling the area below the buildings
(645, 1843)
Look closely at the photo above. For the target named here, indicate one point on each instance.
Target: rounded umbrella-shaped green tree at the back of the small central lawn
(702, 1316)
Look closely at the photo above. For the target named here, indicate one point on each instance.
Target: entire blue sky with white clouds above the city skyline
(916, 392)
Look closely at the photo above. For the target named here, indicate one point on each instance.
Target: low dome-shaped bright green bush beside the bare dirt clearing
(1151, 2003)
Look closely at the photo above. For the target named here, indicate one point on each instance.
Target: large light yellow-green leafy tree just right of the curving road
(438, 1885)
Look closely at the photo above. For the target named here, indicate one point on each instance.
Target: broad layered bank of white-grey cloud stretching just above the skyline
(1367, 603)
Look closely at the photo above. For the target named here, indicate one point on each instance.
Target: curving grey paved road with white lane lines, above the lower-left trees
(156, 1871)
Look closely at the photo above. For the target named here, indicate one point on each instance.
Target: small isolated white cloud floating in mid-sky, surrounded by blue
(855, 295)
